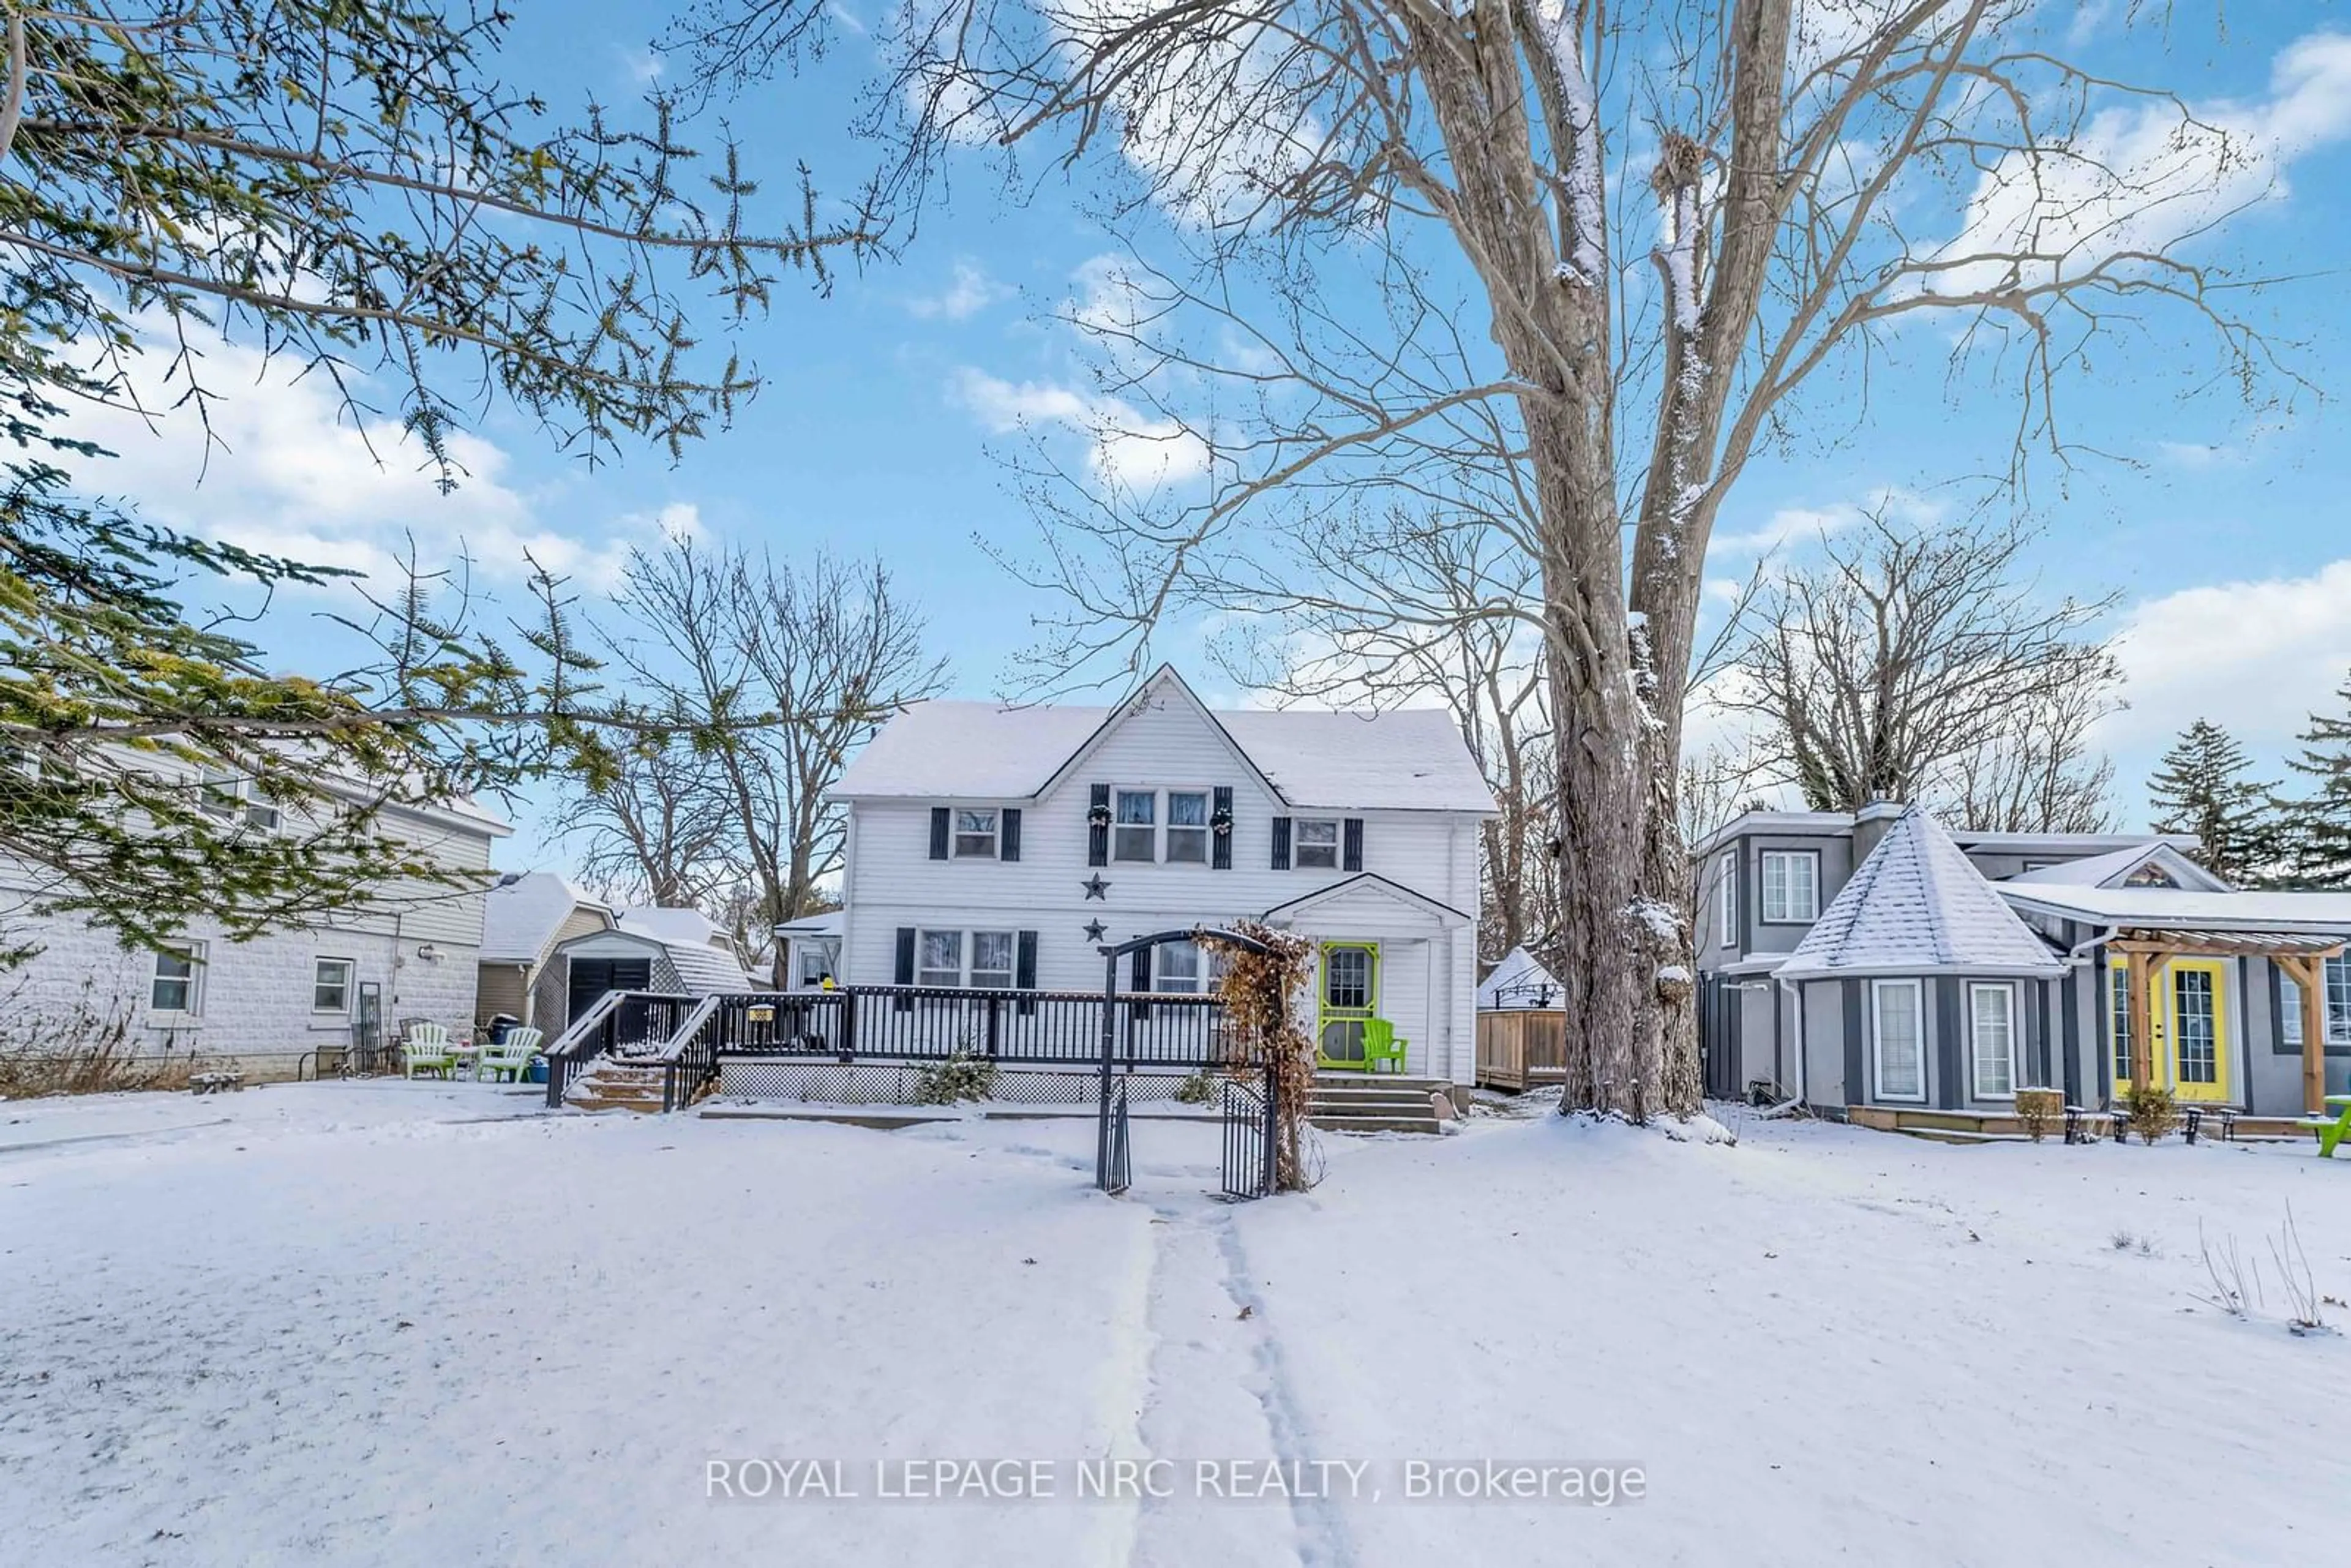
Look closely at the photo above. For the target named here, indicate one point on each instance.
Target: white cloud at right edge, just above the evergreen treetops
(2256, 657)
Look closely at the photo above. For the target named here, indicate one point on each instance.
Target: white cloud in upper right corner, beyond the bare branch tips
(2141, 177)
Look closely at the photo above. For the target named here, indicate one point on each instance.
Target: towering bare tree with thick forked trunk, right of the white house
(1412, 145)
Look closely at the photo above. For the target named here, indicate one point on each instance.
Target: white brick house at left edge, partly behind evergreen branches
(262, 1005)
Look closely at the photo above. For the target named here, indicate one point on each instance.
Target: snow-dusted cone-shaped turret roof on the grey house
(1920, 906)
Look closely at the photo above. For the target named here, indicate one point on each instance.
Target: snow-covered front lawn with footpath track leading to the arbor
(429, 1325)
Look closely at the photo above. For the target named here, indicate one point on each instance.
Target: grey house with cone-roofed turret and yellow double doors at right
(1875, 965)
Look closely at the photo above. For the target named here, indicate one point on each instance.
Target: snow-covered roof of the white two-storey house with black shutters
(1400, 760)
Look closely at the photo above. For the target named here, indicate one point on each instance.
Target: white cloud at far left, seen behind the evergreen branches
(293, 474)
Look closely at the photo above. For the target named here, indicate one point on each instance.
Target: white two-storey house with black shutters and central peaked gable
(1003, 847)
